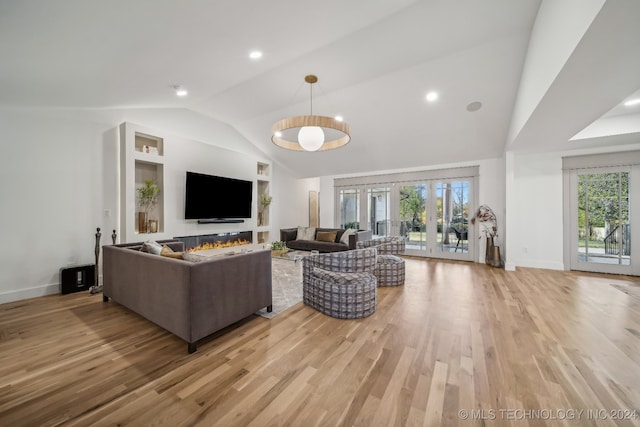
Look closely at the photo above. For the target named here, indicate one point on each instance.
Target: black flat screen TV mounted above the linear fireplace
(216, 197)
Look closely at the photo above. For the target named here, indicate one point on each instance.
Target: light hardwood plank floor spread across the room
(531, 347)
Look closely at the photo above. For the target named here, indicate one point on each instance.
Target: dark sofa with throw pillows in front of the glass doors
(319, 242)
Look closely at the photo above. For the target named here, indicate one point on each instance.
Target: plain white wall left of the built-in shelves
(51, 181)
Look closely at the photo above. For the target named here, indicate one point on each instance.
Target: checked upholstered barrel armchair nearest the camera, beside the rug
(341, 284)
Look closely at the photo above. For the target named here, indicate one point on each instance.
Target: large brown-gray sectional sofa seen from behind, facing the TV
(189, 299)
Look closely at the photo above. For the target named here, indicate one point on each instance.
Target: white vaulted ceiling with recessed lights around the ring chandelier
(375, 61)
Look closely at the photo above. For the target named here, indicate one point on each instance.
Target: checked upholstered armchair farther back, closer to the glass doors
(390, 269)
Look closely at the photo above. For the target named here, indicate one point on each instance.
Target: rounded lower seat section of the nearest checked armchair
(342, 295)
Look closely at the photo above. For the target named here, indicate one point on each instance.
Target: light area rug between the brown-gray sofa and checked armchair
(286, 286)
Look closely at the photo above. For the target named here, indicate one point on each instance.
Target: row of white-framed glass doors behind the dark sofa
(429, 210)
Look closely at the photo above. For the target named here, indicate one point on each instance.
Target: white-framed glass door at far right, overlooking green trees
(602, 211)
